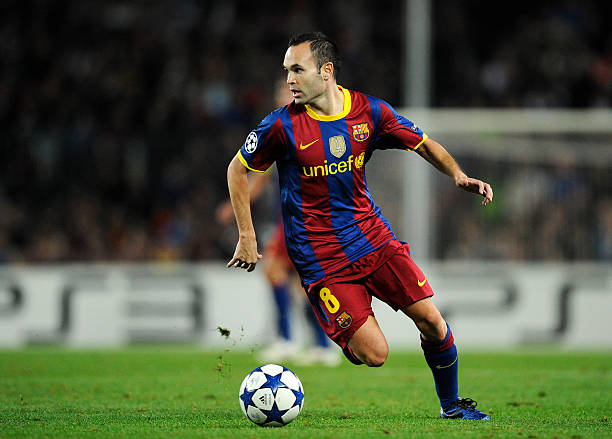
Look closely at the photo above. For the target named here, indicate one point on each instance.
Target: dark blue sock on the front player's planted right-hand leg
(443, 361)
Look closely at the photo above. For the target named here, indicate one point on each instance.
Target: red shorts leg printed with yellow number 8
(341, 309)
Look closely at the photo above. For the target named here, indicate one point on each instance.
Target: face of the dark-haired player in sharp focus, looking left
(304, 78)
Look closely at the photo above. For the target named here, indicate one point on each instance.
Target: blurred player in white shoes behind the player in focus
(282, 277)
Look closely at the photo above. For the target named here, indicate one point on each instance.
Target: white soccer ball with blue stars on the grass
(271, 396)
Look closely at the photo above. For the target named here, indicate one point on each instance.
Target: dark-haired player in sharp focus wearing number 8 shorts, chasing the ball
(341, 245)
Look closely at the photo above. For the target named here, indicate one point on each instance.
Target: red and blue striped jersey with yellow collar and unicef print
(329, 215)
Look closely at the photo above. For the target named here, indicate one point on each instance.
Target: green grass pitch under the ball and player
(185, 393)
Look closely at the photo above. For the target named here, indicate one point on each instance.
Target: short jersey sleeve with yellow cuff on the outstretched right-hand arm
(397, 132)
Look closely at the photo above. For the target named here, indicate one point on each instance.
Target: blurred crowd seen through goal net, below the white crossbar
(556, 210)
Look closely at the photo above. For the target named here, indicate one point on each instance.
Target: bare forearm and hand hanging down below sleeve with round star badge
(245, 255)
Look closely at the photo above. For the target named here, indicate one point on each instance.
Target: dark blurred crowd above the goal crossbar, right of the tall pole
(523, 54)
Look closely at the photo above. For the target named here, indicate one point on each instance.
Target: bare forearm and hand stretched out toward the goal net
(439, 157)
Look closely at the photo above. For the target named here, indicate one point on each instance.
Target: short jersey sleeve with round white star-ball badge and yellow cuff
(265, 144)
